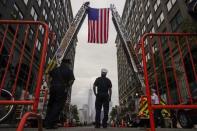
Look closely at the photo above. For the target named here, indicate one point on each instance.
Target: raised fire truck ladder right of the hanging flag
(129, 50)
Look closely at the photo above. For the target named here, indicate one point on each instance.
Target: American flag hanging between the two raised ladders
(98, 25)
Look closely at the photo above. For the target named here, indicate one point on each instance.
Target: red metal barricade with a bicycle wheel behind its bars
(23, 46)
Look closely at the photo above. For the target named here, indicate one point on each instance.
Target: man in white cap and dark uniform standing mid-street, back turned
(103, 97)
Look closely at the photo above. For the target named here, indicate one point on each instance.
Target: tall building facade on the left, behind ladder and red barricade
(57, 14)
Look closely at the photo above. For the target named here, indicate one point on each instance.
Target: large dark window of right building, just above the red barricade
(176, 21)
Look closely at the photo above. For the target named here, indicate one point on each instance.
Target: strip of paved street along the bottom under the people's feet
(101, 129)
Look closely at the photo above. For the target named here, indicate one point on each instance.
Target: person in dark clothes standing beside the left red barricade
(62, 79)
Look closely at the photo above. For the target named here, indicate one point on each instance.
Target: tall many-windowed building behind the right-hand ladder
(140, 17)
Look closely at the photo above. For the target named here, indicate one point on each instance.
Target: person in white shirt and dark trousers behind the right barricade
(159, 121)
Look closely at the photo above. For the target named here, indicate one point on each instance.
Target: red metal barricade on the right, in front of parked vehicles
(170, 66)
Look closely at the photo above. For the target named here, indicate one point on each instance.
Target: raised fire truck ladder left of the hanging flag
(68, 37)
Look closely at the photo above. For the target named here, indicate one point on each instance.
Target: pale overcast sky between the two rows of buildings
(90, 58)
